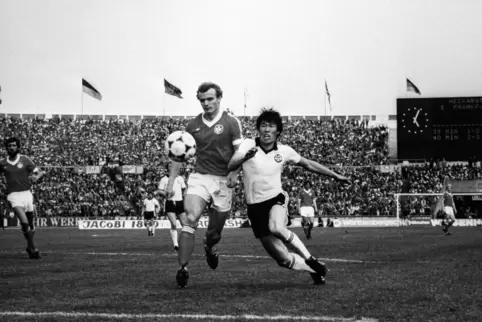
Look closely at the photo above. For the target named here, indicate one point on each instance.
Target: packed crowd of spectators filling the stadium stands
(355, 148)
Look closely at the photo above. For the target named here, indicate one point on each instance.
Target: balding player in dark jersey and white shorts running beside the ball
(218, 135)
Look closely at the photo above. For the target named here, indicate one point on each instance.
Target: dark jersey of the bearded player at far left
(17, 173)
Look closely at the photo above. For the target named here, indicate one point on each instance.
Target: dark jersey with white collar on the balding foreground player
(215, 141)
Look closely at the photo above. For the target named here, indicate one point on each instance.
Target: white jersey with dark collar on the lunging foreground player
(262, 173)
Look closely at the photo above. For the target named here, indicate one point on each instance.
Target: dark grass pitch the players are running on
(384, 274)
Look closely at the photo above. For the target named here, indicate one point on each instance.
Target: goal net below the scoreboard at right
(422, 207)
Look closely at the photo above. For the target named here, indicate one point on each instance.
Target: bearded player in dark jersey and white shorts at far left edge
(19, 172)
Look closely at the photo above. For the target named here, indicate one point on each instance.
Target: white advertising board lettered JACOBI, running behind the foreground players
(139, 224)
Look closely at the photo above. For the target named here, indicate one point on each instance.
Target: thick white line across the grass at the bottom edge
(183, 316)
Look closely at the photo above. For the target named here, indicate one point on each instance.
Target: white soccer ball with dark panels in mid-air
(180, 146)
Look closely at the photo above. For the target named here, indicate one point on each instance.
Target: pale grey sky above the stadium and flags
(280, 51)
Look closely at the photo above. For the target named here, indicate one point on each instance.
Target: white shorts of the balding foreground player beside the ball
(211, 188)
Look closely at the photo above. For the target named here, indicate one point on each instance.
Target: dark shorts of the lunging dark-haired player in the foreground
(258, 215)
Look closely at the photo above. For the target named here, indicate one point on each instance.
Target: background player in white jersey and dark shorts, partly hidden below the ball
(174, 206)
